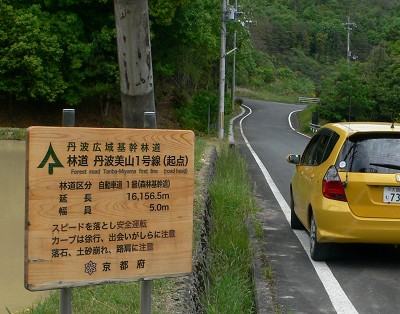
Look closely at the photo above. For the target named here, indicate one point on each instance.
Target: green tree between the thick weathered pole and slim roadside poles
(187, 50)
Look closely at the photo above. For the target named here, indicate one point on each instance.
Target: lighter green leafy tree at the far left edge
(29, 56)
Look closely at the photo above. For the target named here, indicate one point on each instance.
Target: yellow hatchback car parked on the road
(346, 186)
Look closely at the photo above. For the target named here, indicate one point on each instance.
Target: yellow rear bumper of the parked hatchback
(336, 223)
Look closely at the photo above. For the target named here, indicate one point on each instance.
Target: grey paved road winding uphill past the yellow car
(361, 279)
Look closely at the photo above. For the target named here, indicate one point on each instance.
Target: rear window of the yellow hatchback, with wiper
(372, 153)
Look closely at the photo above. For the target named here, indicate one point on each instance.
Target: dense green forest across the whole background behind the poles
(64, 52)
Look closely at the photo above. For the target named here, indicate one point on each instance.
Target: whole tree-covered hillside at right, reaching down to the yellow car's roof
(311, 38)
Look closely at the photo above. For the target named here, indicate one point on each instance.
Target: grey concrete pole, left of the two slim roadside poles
(222, 73)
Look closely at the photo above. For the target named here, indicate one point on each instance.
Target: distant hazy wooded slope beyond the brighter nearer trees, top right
(310, 35)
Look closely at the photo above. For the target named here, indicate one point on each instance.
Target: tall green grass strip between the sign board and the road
(230, 289)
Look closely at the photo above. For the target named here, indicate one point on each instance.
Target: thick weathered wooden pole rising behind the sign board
(135, 62)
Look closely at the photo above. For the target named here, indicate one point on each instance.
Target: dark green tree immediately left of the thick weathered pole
(86, 33)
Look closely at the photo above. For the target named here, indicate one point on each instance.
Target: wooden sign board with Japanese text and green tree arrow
(107, 205)
